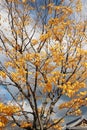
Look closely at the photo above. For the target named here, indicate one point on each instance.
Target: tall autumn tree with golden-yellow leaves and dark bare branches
(44, 60)
